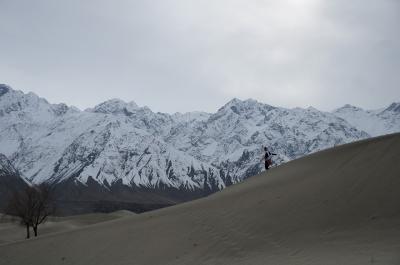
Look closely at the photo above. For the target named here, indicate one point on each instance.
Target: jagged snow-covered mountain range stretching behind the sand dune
(121, 143)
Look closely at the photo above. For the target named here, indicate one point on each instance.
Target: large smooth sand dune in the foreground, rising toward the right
(340, 206)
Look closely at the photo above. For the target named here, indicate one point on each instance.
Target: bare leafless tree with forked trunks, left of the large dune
(31, 206)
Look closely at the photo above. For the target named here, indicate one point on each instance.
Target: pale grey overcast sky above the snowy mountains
(189, 55)
